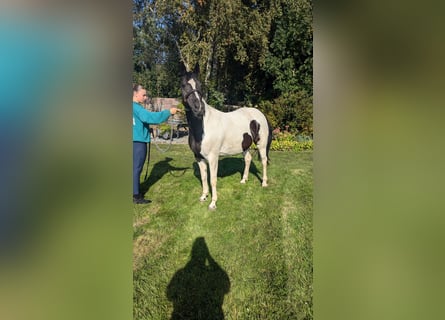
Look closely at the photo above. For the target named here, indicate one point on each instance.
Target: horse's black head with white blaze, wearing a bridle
(191, 93)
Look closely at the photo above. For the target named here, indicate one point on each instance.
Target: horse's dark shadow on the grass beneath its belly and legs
(230, 166)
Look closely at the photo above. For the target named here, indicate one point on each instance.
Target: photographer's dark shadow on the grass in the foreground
(197, 290)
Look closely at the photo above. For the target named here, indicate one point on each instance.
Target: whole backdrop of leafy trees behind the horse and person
(250, 52)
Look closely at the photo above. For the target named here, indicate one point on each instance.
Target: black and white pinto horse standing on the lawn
(213, 133)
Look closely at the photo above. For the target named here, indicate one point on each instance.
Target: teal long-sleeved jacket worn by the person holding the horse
(141, 120)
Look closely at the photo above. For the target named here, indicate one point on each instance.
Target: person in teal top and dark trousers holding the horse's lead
(141, 136)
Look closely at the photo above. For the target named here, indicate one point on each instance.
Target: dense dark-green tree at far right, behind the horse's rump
(289, 64)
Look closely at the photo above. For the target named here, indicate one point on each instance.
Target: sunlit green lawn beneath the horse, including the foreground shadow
(252, 257)
